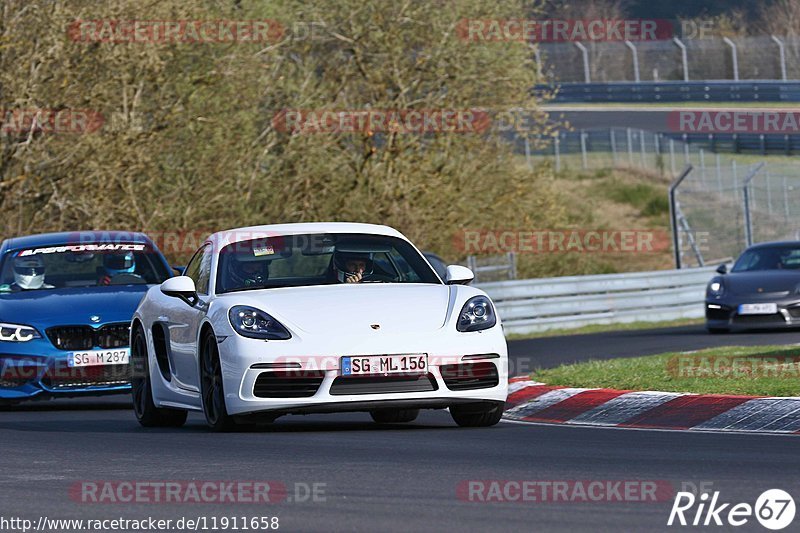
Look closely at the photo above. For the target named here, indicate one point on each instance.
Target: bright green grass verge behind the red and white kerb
(756, 371)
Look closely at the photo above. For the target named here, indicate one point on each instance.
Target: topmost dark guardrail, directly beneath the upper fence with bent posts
(674, 91)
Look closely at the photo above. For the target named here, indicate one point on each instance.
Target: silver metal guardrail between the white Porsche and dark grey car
(528, 306)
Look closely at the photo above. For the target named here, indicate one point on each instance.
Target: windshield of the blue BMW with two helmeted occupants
(84, 265)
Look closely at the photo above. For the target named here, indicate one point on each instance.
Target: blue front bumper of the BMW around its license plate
(37, 369)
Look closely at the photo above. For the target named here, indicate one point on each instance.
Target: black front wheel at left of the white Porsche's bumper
(212, 392)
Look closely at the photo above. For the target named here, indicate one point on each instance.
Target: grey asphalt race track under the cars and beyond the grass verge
(390, 478)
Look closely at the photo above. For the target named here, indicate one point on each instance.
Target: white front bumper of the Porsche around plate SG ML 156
(305, 376)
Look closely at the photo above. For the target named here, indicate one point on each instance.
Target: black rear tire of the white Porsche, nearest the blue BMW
(146, 411)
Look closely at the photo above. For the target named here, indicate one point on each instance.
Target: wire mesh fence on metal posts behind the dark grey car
(711, 206)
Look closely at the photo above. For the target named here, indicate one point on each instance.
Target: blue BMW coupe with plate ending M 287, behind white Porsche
(66, 302)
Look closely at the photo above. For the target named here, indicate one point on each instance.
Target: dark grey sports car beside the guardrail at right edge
(762, 290)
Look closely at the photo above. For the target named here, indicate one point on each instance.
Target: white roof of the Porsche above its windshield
(273, 230)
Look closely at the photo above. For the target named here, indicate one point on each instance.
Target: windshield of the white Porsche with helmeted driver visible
(319, 259)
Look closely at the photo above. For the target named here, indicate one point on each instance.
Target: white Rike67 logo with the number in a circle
(774, 509)
